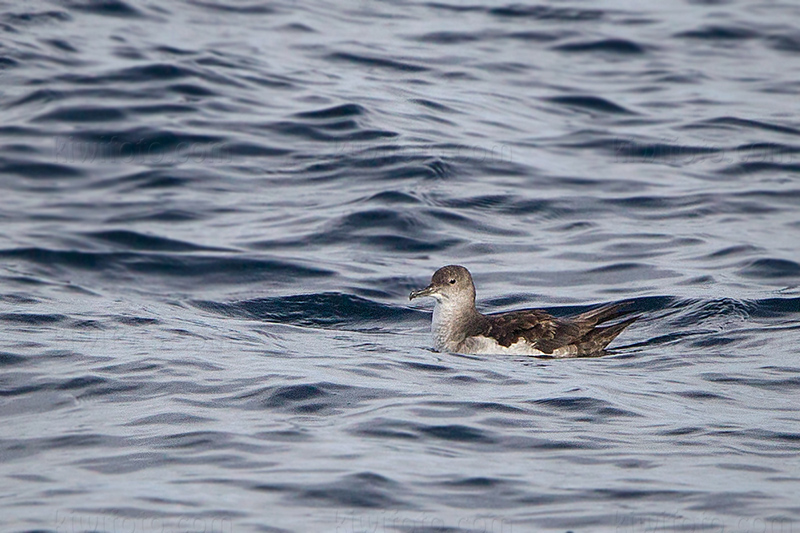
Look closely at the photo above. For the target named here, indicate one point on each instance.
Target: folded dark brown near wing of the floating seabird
(543, 331)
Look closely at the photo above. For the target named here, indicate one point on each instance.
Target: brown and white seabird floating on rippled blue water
(459, 327)
